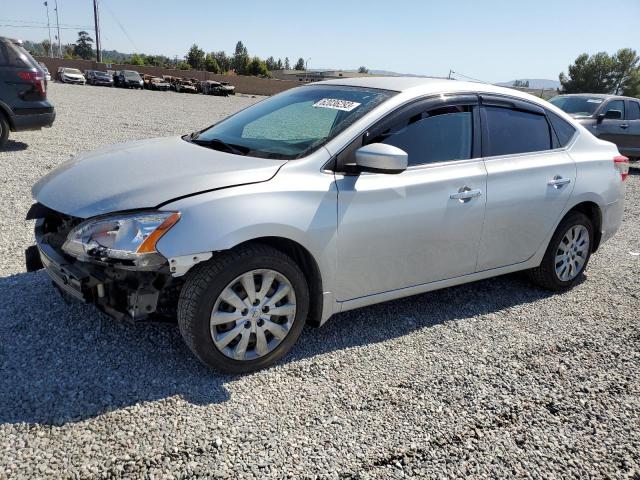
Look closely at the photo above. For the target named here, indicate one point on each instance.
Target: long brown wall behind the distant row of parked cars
(243, 84)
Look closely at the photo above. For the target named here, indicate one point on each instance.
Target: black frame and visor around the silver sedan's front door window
(419, 105)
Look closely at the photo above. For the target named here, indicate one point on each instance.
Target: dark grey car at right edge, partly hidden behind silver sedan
(609, 117)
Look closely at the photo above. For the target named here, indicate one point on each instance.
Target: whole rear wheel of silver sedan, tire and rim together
(567, 255)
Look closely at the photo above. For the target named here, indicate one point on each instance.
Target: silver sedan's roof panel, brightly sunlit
(426, 86)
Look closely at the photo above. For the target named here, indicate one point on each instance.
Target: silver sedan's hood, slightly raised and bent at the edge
(144, 174)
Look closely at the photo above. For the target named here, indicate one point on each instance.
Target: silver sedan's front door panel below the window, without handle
(396, 231)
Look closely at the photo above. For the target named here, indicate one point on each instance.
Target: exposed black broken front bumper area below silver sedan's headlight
(118, 290)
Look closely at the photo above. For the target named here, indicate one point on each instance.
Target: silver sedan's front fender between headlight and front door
(298, 204)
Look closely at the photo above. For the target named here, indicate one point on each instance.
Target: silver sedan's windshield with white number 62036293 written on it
(292, 124)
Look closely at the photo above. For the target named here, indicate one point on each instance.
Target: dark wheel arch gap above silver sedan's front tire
(307, 264)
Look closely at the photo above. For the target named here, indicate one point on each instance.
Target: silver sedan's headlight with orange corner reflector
(130, 237)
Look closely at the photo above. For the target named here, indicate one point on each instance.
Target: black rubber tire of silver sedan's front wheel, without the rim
(206, 281)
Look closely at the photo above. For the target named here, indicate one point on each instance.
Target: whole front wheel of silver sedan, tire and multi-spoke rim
(244, 309)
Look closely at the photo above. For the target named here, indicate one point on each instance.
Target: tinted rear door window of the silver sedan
(511, 131)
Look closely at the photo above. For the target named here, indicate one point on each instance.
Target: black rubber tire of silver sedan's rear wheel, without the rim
(545, 274)
